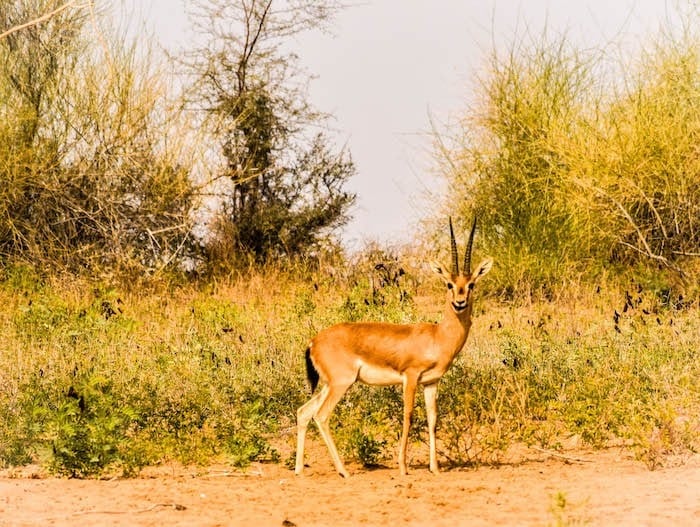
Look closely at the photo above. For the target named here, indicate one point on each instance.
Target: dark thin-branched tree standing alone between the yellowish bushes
(286, 183)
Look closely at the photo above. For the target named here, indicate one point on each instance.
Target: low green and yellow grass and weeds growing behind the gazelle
(100, 380)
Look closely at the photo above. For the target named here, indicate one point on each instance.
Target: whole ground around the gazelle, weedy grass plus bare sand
(581, 409)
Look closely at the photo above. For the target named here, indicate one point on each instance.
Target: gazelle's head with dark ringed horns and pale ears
(461, 284)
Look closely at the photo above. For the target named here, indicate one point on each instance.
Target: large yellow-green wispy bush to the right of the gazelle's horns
(575, 166)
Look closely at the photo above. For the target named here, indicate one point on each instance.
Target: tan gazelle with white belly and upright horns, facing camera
(384, 354)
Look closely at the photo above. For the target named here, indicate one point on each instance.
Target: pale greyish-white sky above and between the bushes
(390, 64)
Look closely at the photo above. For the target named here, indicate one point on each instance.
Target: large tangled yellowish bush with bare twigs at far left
(93, 177)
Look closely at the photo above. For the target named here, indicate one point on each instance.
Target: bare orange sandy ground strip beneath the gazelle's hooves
(591, 488)
